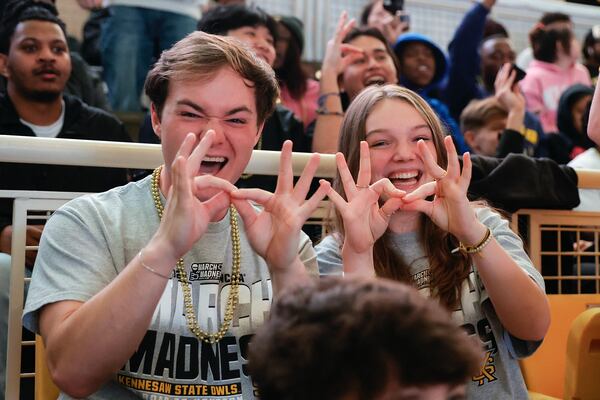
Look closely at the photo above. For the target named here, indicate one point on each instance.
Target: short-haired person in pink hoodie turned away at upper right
(554, 68)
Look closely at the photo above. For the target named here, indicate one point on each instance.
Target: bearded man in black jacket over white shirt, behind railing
(34, 59)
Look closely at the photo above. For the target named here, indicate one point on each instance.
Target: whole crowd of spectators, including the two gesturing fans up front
(161, 285)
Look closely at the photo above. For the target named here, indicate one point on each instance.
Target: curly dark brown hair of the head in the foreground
(335, 337)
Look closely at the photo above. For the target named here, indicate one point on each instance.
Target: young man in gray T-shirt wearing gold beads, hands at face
(152, 290)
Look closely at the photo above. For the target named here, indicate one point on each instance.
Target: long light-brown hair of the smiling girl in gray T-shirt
(447, 271)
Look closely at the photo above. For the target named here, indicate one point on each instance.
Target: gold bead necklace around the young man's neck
(234, 292)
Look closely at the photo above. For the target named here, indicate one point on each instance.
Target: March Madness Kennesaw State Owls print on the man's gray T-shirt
(171, 363)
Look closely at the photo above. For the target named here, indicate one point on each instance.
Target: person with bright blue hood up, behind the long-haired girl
(423, 69)
